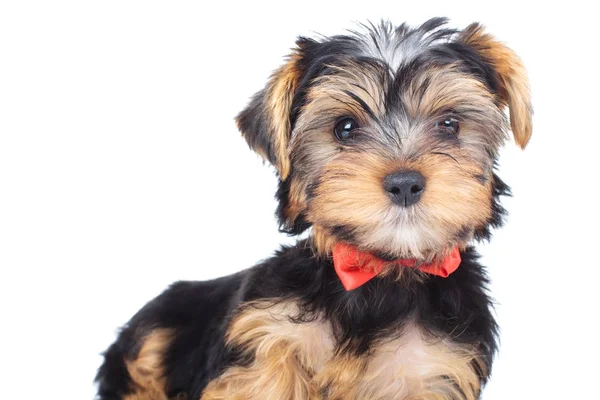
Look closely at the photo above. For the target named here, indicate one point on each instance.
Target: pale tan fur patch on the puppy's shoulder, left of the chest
(286, 356)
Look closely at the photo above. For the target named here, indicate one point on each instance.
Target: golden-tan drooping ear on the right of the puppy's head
(513, 84)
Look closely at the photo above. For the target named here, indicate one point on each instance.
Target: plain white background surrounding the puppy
(121, 171)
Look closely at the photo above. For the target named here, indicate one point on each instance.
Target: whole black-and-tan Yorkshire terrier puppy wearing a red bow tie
(385, 144)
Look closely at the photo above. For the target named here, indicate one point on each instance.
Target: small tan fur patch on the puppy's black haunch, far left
(146, 370)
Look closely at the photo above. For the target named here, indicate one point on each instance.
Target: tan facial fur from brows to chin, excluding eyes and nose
(350, 191)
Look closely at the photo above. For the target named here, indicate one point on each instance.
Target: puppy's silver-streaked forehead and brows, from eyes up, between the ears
(396, 79)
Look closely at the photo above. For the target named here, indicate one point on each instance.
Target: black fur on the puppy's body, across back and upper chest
(457, 306)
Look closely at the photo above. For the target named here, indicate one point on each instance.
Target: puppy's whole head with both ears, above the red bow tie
(387, 140)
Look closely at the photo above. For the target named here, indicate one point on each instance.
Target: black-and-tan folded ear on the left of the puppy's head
(265, 122)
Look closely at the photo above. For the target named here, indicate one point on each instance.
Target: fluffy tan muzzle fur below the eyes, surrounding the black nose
(351, 195)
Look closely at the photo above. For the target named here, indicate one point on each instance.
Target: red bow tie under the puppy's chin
(354, 267)
